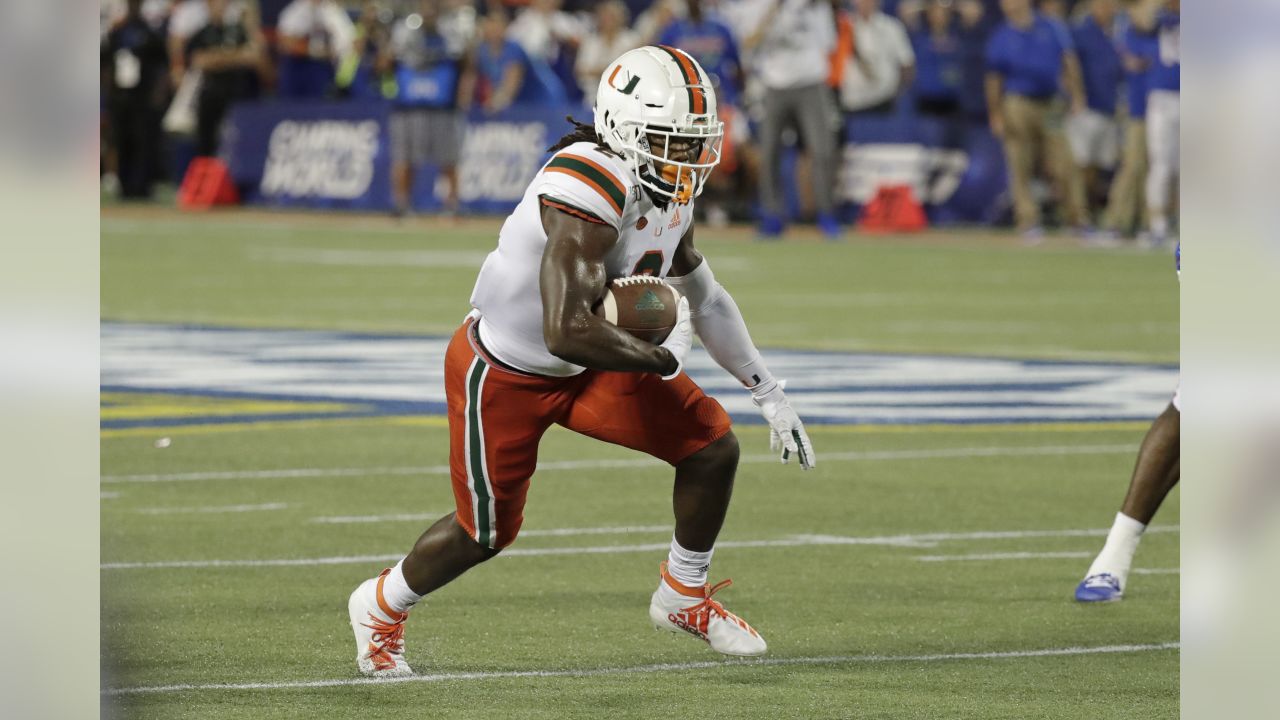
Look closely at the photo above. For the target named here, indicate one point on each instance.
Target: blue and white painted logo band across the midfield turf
(397, 375)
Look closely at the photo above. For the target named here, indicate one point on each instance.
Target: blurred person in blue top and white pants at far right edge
(1164, 83)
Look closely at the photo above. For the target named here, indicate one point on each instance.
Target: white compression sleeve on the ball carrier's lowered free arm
(719, 323)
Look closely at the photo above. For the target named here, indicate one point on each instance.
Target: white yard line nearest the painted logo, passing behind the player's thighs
(927, 454)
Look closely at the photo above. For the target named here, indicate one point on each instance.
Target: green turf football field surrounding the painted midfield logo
(921, 571)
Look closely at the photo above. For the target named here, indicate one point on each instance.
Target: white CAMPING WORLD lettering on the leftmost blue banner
(321, 160)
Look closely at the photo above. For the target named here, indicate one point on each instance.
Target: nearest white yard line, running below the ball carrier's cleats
(655, 669)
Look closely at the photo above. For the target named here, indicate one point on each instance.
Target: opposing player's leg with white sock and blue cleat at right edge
(1155, 475)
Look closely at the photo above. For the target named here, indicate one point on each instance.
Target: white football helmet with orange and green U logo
(661, 92)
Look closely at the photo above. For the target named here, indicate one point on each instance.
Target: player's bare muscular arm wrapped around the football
(573, 280)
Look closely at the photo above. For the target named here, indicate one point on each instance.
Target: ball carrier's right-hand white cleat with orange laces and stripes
(682, 609)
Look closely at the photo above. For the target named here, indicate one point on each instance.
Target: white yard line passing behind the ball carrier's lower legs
(796, 541)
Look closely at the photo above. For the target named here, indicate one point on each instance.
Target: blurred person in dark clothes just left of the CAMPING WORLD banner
(227, 52)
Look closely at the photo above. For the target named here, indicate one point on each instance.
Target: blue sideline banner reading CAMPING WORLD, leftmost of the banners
(333, 156)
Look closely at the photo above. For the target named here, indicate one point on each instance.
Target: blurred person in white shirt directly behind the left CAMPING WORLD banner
(316, 38)
